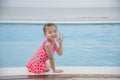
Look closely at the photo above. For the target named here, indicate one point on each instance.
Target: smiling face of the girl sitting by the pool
(51, 33)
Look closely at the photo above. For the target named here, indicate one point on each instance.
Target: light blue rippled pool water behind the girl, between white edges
(84, 44)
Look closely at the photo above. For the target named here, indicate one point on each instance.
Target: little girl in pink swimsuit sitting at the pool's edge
(43, 59)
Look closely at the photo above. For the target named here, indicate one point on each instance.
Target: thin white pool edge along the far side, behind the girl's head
(69, 22)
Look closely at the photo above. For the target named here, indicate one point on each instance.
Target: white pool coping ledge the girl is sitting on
(18, 71)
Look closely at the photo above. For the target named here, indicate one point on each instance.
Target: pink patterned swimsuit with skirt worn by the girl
(39, 67)
